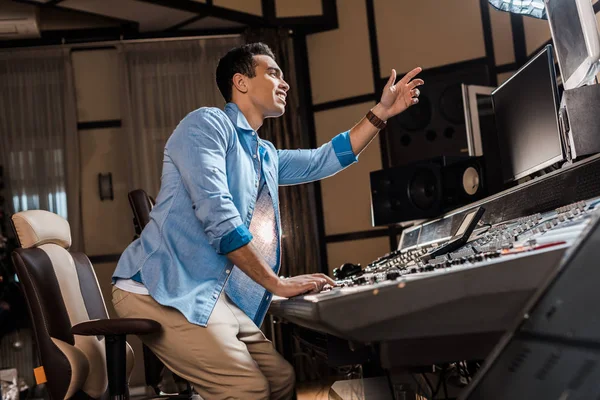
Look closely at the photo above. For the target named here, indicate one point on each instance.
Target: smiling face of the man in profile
(268, 90)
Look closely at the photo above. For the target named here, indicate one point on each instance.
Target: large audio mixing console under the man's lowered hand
(476, 289)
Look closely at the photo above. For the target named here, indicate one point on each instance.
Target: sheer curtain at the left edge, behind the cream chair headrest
(39, 146)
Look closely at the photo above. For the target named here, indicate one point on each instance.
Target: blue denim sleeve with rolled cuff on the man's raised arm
(301, 166)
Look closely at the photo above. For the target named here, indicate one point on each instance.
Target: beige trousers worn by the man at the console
(229, 359)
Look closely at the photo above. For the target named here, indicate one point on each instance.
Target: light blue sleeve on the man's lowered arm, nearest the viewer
(198, 149)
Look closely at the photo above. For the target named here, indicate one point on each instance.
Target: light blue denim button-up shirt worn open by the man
(209, 186)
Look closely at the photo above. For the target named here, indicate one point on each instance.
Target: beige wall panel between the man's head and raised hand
(340, 60)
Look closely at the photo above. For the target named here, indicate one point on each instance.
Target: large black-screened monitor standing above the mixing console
(525, 109)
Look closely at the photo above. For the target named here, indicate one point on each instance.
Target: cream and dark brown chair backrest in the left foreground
(61, 290)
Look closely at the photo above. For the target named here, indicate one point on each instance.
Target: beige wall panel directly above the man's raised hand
(427, 33)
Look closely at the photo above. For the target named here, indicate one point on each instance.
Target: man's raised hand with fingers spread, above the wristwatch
(398, 97)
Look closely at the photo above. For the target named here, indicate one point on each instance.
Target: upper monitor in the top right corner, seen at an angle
(575, 37)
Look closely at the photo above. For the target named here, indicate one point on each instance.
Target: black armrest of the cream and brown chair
(116, 326)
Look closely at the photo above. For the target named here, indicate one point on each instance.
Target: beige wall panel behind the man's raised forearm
(346, 196)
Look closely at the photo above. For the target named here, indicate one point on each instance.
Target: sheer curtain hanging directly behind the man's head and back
(161, 83)
